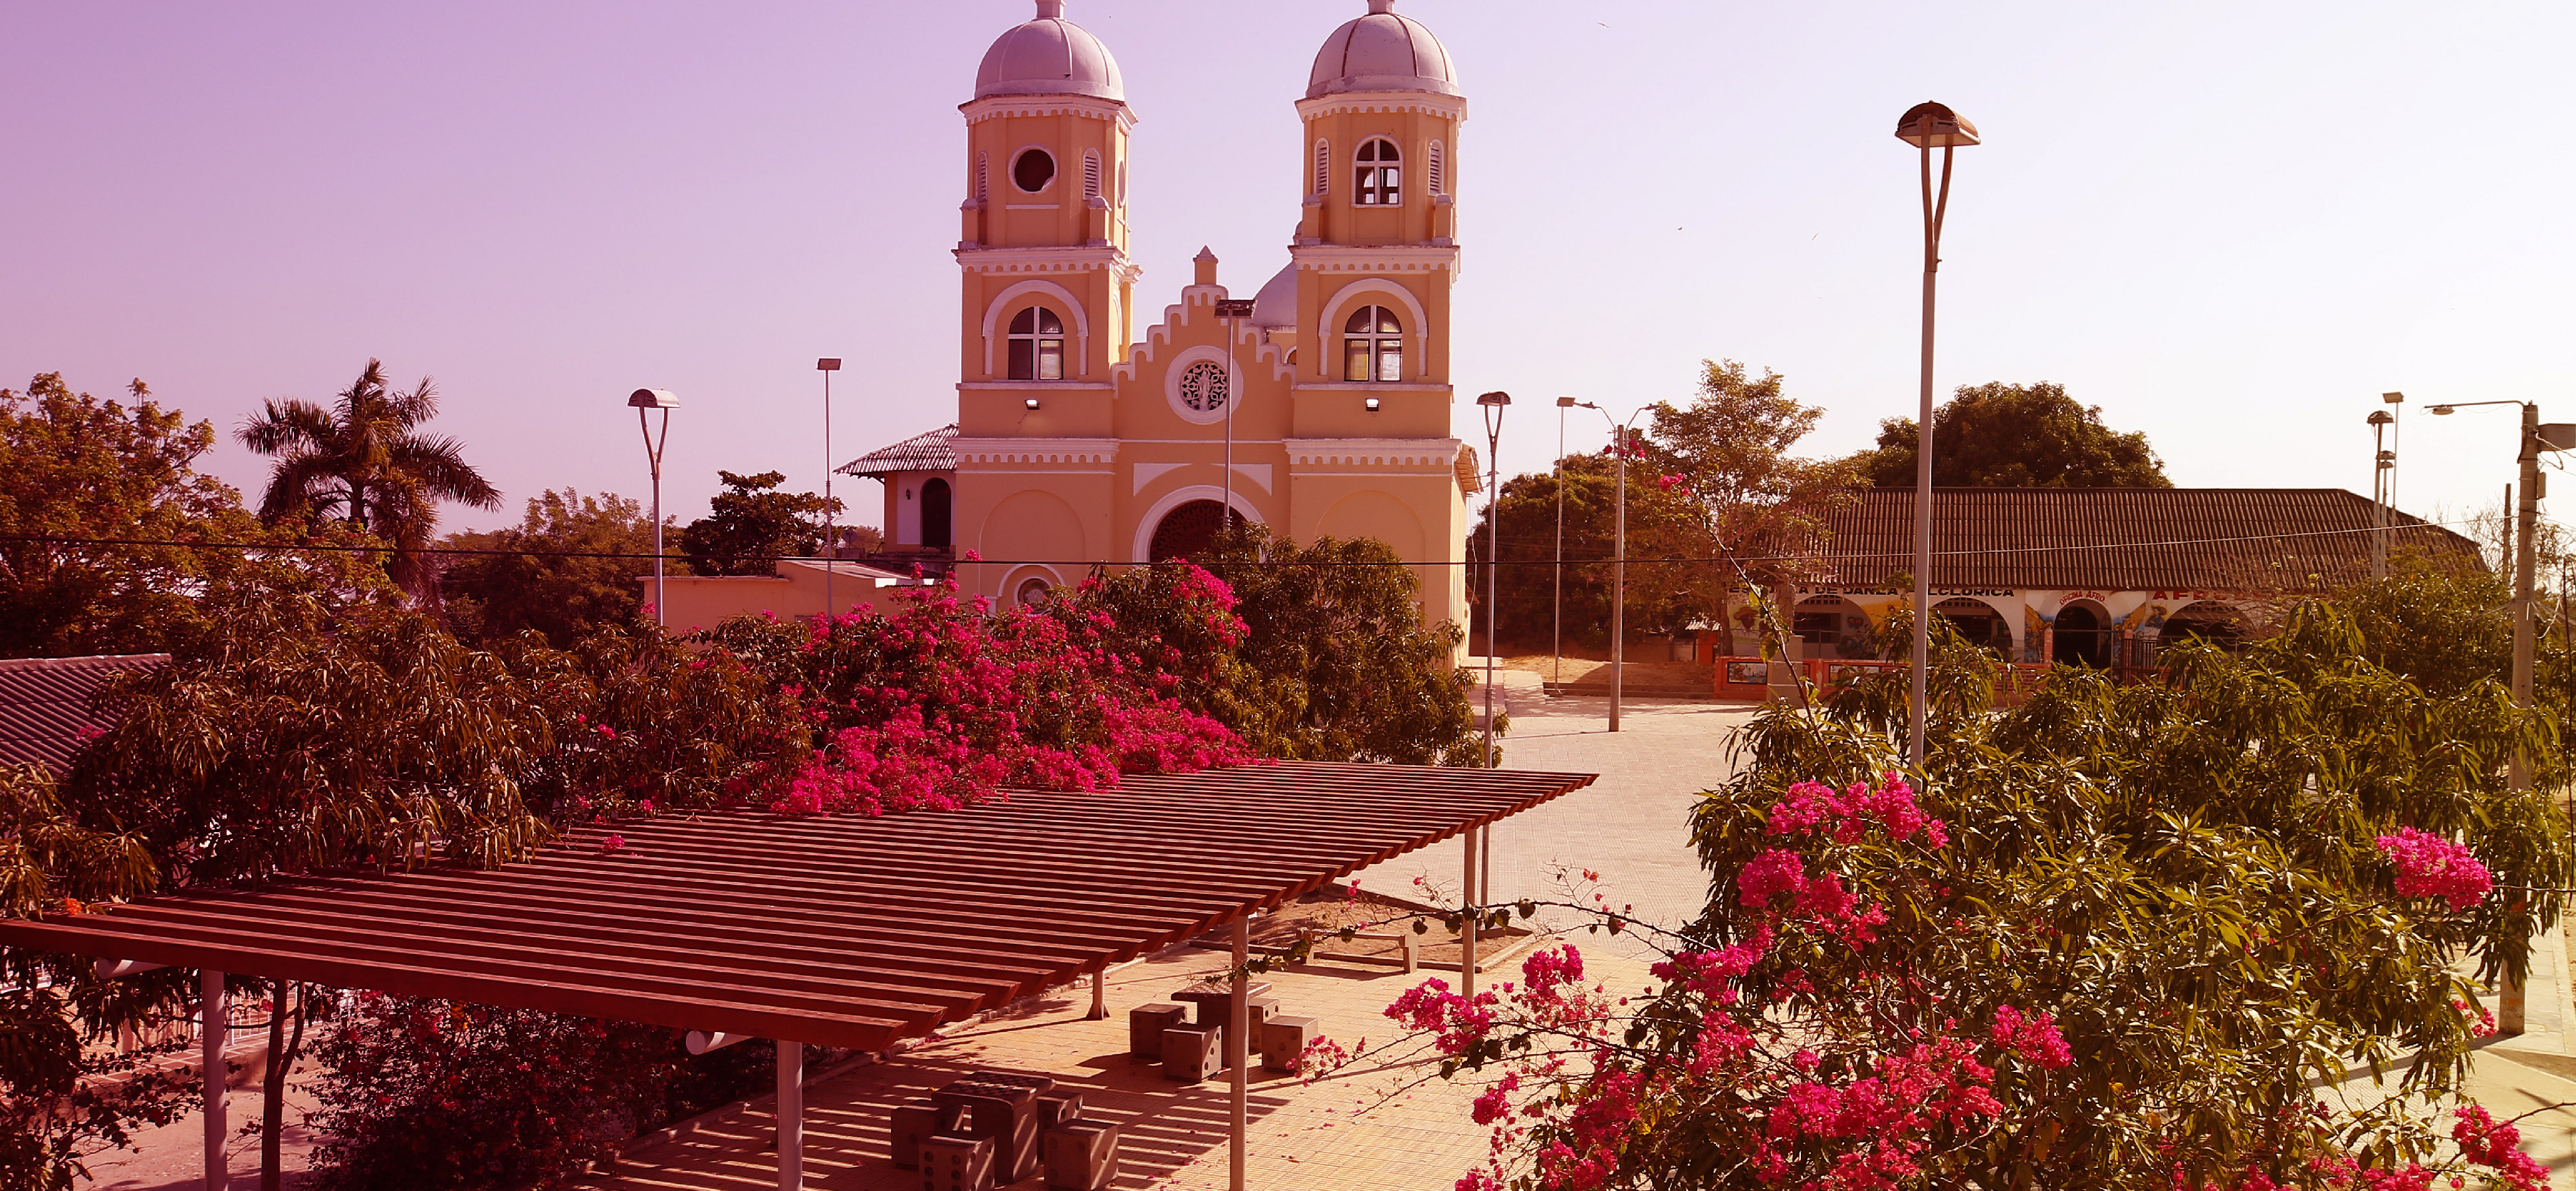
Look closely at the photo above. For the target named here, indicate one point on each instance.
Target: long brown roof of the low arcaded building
(2124, 537)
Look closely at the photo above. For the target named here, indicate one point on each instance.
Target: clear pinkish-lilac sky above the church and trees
(2230, 226)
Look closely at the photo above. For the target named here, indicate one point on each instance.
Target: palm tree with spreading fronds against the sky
(370, 465)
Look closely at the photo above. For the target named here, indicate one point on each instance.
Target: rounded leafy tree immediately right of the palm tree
(571, 566)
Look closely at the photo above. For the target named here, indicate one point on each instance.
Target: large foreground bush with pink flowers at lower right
(2121, 945)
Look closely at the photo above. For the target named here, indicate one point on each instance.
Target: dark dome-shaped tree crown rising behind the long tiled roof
(2016, 437)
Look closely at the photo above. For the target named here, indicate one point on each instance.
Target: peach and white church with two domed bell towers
(1091, 434)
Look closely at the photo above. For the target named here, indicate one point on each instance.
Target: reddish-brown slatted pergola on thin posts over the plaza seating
(820, 929)
